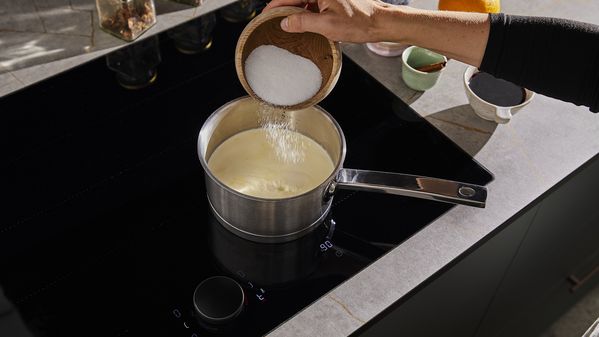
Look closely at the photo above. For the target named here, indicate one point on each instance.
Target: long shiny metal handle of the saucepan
(412, 186)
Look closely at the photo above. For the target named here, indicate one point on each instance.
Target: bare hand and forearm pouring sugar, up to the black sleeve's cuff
(457, 35)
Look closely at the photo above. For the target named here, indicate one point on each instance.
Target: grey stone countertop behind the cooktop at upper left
(41, 38)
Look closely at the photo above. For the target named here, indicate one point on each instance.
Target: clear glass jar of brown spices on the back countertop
(126, 19)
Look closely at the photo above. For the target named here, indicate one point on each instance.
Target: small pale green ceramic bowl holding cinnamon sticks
(414, 57)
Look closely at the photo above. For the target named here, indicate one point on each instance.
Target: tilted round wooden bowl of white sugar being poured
(289, 71)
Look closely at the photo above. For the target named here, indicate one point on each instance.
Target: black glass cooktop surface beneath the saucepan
(106, 229)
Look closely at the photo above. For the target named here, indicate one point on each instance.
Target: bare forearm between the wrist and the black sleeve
(460, 36)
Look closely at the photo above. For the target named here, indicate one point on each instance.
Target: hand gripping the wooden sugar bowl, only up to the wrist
(339, 20)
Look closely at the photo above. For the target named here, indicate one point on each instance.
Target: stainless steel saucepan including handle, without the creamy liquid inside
(279, 220)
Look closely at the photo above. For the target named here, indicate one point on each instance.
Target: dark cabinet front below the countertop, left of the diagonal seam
(454, 303)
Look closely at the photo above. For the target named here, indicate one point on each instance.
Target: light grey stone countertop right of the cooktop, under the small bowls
(541, 145)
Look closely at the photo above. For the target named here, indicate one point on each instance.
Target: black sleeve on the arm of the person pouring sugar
(554, 57)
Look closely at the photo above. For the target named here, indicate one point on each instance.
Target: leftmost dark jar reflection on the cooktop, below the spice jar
(136, 65)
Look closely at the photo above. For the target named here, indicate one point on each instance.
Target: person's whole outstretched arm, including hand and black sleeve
(555, 57)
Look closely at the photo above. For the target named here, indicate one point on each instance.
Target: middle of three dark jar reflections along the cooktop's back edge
(195, 36)
